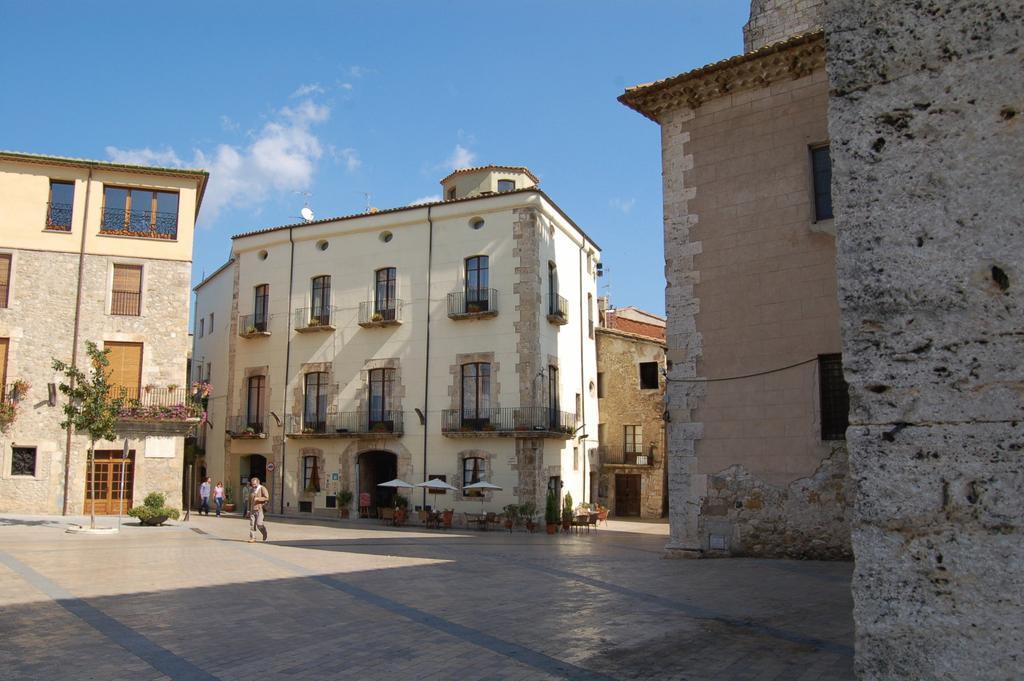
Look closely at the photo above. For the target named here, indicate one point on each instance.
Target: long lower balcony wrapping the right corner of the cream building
(509, 422)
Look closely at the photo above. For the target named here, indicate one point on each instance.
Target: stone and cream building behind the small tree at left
(93, 251)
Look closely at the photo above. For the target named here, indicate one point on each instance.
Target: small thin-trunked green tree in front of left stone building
(91, 409)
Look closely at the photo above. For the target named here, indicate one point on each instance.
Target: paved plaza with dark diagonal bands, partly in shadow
(356, 601)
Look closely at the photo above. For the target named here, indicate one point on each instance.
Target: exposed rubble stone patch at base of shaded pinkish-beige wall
(804, 520)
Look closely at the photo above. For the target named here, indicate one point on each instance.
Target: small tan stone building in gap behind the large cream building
(631, 434)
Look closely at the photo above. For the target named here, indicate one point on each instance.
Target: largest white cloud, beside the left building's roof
(282, 157)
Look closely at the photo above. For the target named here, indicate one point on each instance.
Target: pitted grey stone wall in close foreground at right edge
(928, 147)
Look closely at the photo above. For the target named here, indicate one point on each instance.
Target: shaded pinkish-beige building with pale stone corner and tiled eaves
(757, 456)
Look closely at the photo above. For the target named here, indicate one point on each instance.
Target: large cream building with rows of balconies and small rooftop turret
(452, 339)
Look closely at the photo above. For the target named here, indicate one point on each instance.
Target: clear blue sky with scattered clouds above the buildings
(342, 99)
